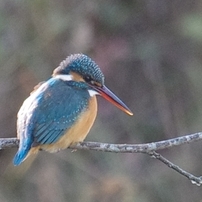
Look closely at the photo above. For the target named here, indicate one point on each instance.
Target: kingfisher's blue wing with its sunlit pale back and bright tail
(47, 114)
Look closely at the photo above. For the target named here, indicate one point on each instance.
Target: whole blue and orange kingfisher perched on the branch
(61, 111)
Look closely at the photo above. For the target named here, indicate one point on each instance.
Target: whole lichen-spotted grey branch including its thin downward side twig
(148, 148)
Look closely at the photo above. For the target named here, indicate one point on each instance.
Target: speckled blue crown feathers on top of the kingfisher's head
(81, 64)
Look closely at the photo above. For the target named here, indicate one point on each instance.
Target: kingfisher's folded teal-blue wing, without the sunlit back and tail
(58, 108)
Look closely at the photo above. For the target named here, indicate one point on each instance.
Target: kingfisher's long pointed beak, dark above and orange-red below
(111, 97)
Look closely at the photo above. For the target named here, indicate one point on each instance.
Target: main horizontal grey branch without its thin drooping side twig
(120, 148)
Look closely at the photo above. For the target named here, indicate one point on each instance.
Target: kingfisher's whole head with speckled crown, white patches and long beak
(81, 68)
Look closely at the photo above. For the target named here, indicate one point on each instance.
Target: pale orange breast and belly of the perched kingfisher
(77, 133)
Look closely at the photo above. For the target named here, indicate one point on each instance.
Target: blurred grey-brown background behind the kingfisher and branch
(151, 55)
